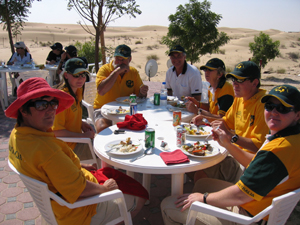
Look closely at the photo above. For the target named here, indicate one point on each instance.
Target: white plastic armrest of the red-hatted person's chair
(114, 194)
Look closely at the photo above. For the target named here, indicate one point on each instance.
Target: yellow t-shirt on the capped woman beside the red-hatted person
(71, 118)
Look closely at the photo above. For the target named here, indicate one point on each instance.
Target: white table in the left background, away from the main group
(11, 69)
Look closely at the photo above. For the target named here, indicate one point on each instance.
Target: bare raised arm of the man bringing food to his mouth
(108, 82)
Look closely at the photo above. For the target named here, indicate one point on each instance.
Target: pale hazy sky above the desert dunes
(282, 15)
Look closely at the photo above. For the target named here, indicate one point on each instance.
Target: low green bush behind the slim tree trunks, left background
(87, 49)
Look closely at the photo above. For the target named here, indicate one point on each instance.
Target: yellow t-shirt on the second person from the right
(247, 118)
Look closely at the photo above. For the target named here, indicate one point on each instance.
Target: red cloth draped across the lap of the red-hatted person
(126, 184)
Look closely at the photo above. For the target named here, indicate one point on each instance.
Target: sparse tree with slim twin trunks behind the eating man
(99, 13)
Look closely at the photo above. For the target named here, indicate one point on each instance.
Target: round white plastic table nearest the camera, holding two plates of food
(153, 164)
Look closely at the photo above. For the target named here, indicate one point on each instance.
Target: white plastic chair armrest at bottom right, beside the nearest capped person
(222, 213)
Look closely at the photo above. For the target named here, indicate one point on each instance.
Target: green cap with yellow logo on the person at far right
(288, 95)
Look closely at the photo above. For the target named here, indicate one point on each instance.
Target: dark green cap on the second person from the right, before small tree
(246, 69)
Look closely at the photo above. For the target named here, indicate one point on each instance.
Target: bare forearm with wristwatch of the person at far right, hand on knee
(231, 196)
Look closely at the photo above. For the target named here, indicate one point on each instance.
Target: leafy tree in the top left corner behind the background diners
(13, 13)
